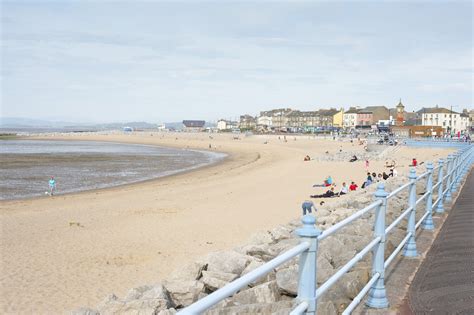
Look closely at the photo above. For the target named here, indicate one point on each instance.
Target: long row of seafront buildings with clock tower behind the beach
(366, 119)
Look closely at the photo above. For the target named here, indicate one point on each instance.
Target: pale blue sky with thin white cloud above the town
(104, 61)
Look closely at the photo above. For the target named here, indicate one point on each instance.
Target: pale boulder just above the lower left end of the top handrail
(184, 293)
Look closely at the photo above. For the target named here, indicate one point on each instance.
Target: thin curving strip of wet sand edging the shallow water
(118, 186)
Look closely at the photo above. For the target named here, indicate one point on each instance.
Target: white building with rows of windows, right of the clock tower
(450, 121)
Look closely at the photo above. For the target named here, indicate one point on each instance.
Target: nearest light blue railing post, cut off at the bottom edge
(307, 282)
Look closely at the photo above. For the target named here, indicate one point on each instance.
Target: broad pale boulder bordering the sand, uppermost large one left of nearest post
(227, 261)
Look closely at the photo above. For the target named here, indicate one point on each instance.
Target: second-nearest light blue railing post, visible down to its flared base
(377, 294)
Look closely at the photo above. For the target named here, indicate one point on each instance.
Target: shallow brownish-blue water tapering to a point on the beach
(27, 165)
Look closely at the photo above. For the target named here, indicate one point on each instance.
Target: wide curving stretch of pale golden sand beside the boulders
(59, 253)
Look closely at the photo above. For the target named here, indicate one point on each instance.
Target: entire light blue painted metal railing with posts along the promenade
(457, 167)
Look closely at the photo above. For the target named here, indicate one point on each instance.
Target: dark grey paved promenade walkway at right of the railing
(444, 283)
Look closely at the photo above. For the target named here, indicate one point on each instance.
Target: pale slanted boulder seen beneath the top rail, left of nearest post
(263, 293)
